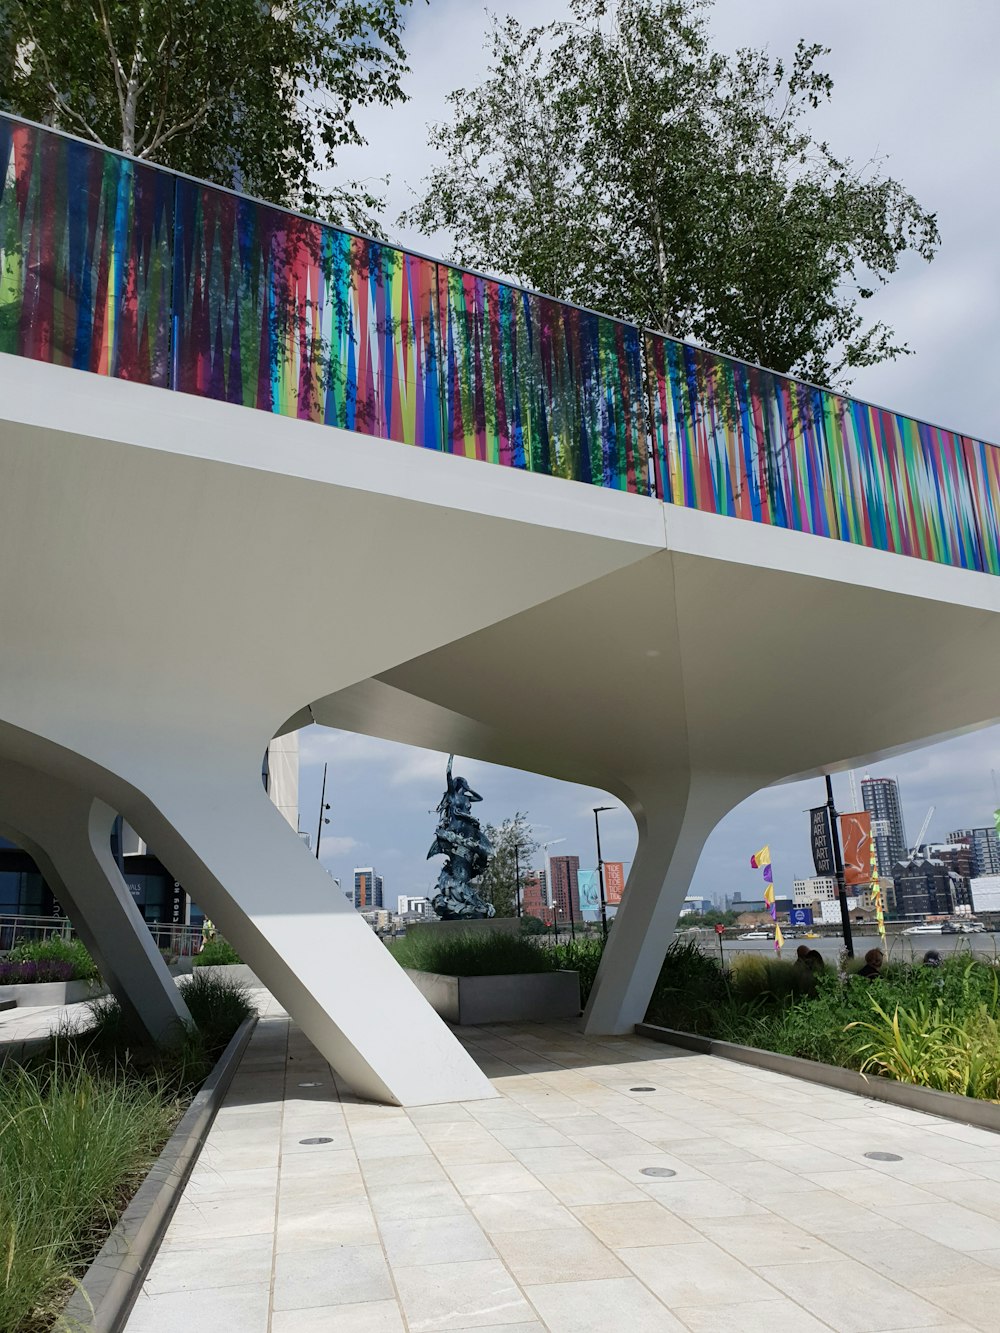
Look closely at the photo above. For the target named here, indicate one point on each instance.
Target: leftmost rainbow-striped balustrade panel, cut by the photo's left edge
(85, 257)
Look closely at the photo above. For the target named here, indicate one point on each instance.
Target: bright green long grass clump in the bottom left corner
(74, 1146)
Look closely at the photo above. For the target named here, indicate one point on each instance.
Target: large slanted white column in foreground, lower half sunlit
(246, 867)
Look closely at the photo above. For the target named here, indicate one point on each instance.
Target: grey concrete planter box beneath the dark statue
(526, 996)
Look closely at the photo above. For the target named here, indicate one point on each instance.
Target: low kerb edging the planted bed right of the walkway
(965, 1111)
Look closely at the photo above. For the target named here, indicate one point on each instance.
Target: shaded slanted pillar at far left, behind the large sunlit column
(69, 834)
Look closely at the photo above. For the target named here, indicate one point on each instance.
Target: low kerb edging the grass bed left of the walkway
(111, 1286)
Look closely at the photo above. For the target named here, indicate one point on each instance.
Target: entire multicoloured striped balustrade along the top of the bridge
(127, 270)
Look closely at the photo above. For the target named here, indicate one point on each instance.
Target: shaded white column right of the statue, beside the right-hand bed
(674, 824)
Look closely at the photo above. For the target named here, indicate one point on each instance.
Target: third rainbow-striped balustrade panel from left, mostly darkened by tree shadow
(537, 385)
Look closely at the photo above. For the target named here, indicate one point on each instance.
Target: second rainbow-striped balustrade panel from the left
(291, 317)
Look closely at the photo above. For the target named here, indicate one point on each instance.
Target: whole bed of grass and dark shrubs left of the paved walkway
(79, 1130)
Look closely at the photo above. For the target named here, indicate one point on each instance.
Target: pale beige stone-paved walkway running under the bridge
(614, 1186)
